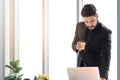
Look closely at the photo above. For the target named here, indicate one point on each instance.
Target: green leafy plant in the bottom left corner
(14, 70)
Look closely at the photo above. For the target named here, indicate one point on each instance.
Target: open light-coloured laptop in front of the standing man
(83, 73)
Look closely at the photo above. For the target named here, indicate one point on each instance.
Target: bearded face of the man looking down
(91, 21)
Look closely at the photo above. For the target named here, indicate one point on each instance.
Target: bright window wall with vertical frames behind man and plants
(36, 32)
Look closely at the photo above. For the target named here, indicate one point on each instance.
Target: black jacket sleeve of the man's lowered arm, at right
(105, 54)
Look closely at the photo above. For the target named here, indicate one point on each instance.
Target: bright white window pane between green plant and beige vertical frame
(30, 37)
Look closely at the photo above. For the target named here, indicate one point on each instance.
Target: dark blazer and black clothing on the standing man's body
(98, 47)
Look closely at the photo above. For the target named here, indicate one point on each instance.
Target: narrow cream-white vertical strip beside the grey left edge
(6, 34)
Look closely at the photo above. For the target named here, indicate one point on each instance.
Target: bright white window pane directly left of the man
(62, 24)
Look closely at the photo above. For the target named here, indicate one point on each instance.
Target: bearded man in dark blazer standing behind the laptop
(96, 48)
